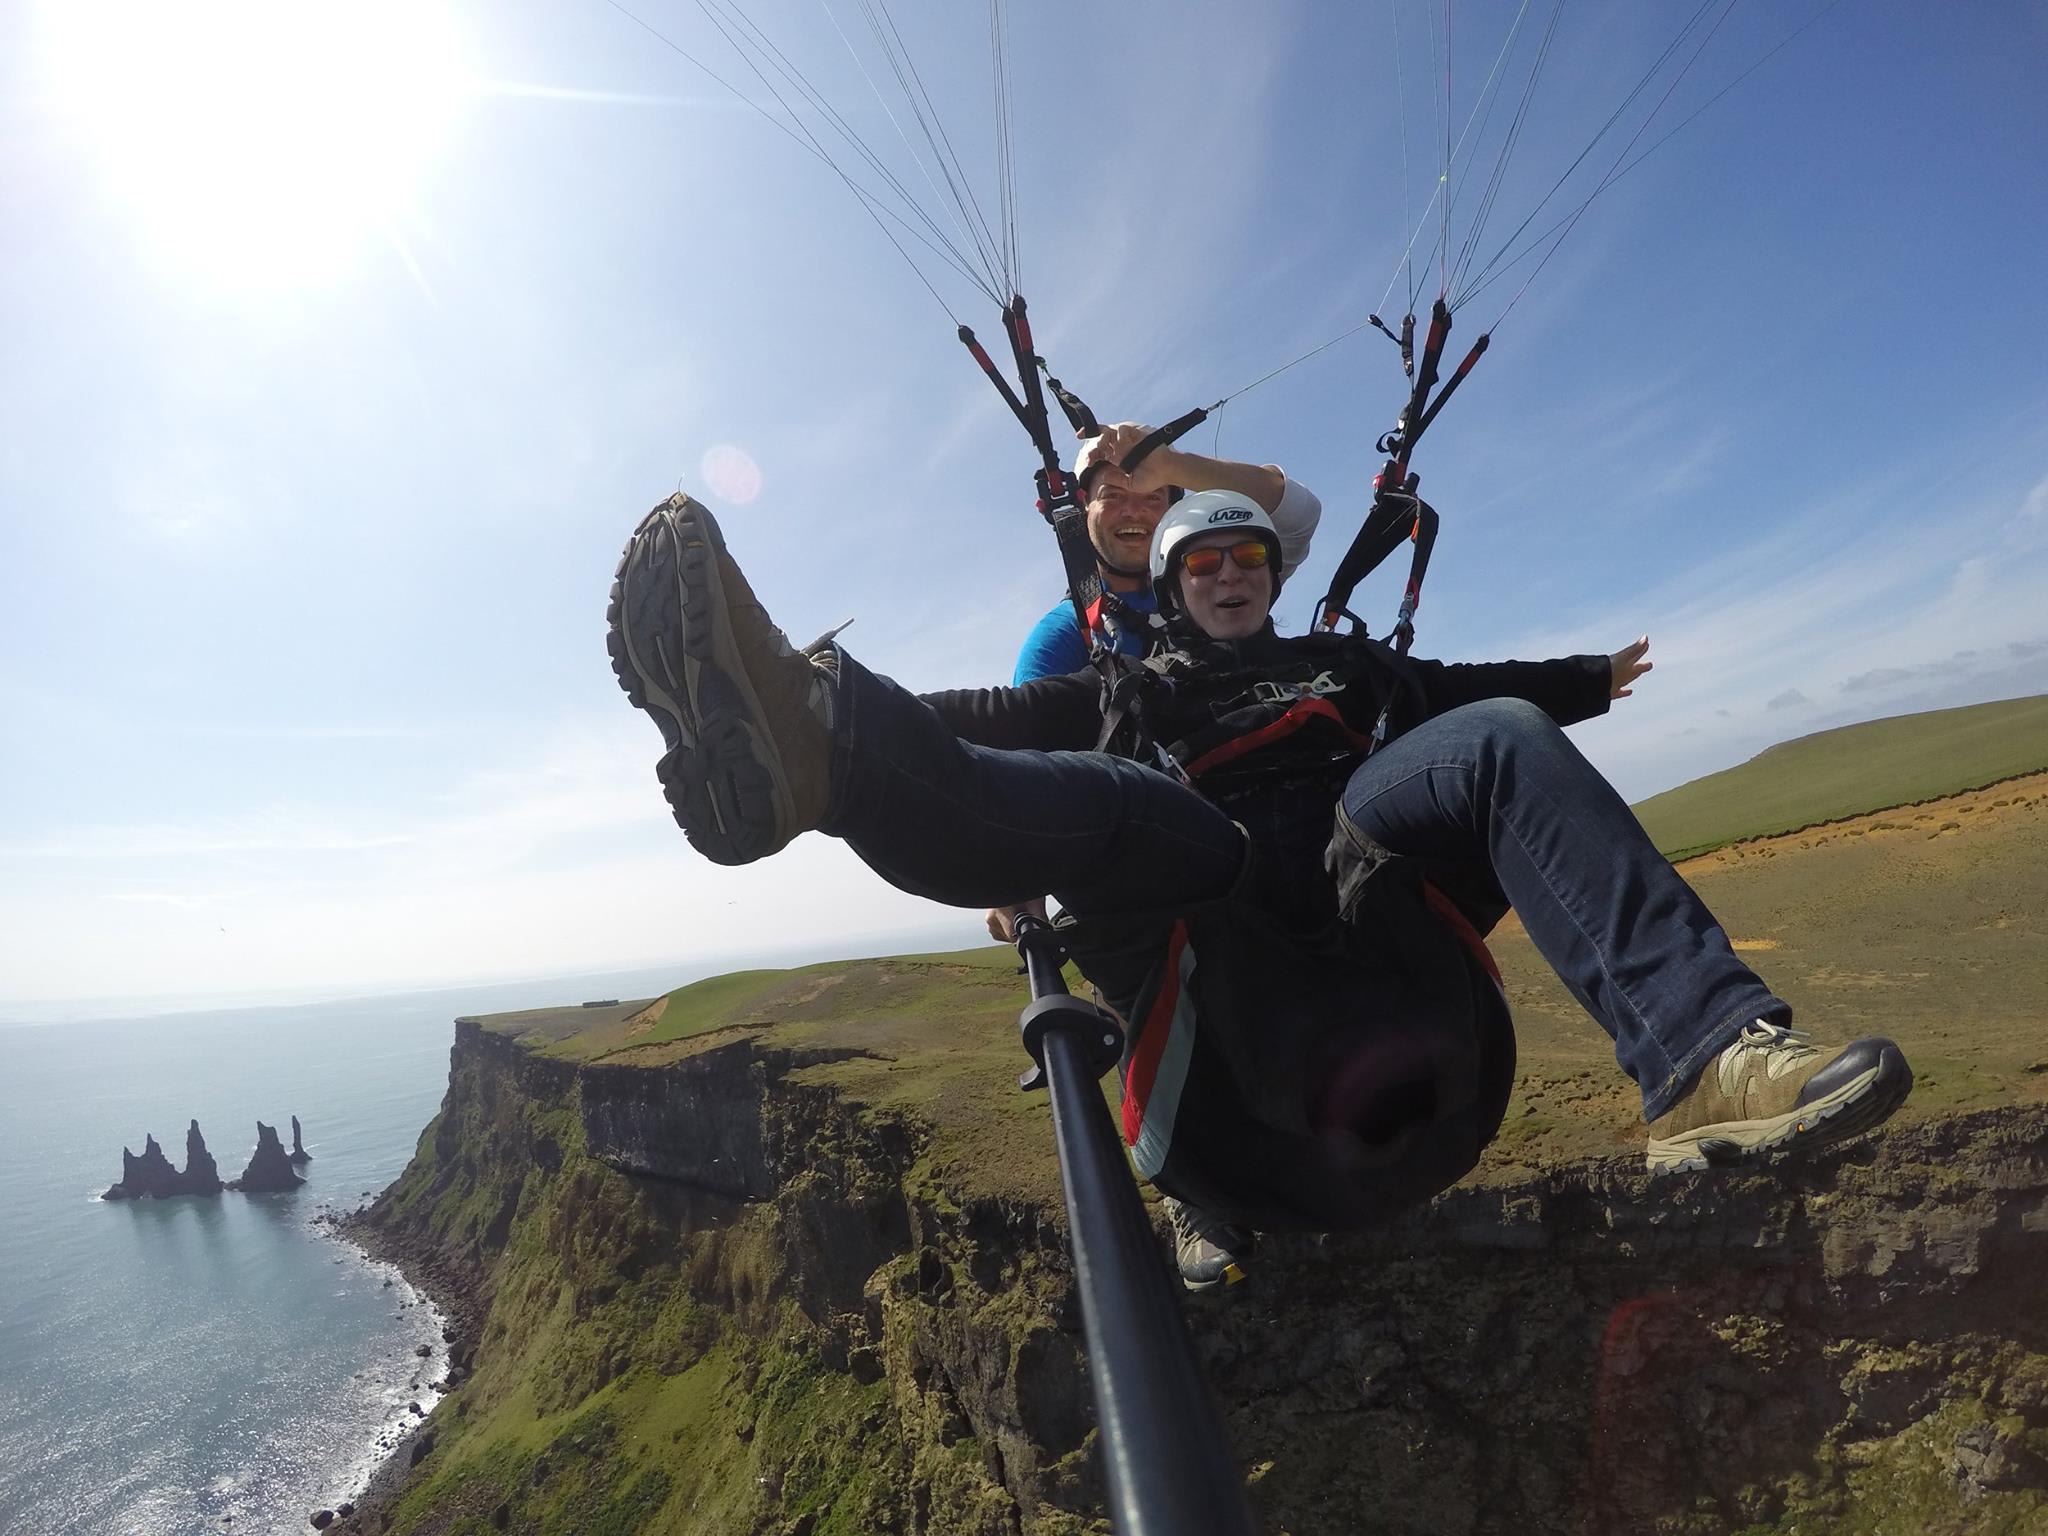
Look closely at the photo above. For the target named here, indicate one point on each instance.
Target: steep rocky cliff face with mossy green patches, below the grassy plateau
(722, 1299)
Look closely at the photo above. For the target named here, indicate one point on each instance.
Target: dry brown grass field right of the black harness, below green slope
(1926, 923)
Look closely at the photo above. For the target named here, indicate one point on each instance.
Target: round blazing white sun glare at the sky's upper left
(261, 142)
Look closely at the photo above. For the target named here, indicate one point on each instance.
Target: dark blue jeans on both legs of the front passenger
(1490, 798)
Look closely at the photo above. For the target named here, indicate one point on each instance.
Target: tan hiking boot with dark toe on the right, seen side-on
(1773, 1089)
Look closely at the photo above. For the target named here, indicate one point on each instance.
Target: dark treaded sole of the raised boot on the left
(673, 652)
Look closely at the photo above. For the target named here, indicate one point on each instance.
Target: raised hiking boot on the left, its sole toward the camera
(746, 720)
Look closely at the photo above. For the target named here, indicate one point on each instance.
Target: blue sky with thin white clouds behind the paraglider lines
(341, 361)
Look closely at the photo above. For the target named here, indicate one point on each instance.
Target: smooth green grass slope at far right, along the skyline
(1852, 771)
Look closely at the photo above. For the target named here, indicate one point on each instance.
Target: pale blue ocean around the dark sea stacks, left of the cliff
(216, 1365)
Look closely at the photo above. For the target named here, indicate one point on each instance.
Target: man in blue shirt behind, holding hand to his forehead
(1121, 517)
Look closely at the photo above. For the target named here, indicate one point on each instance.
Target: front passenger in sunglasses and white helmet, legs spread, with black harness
(1308, 1050)
